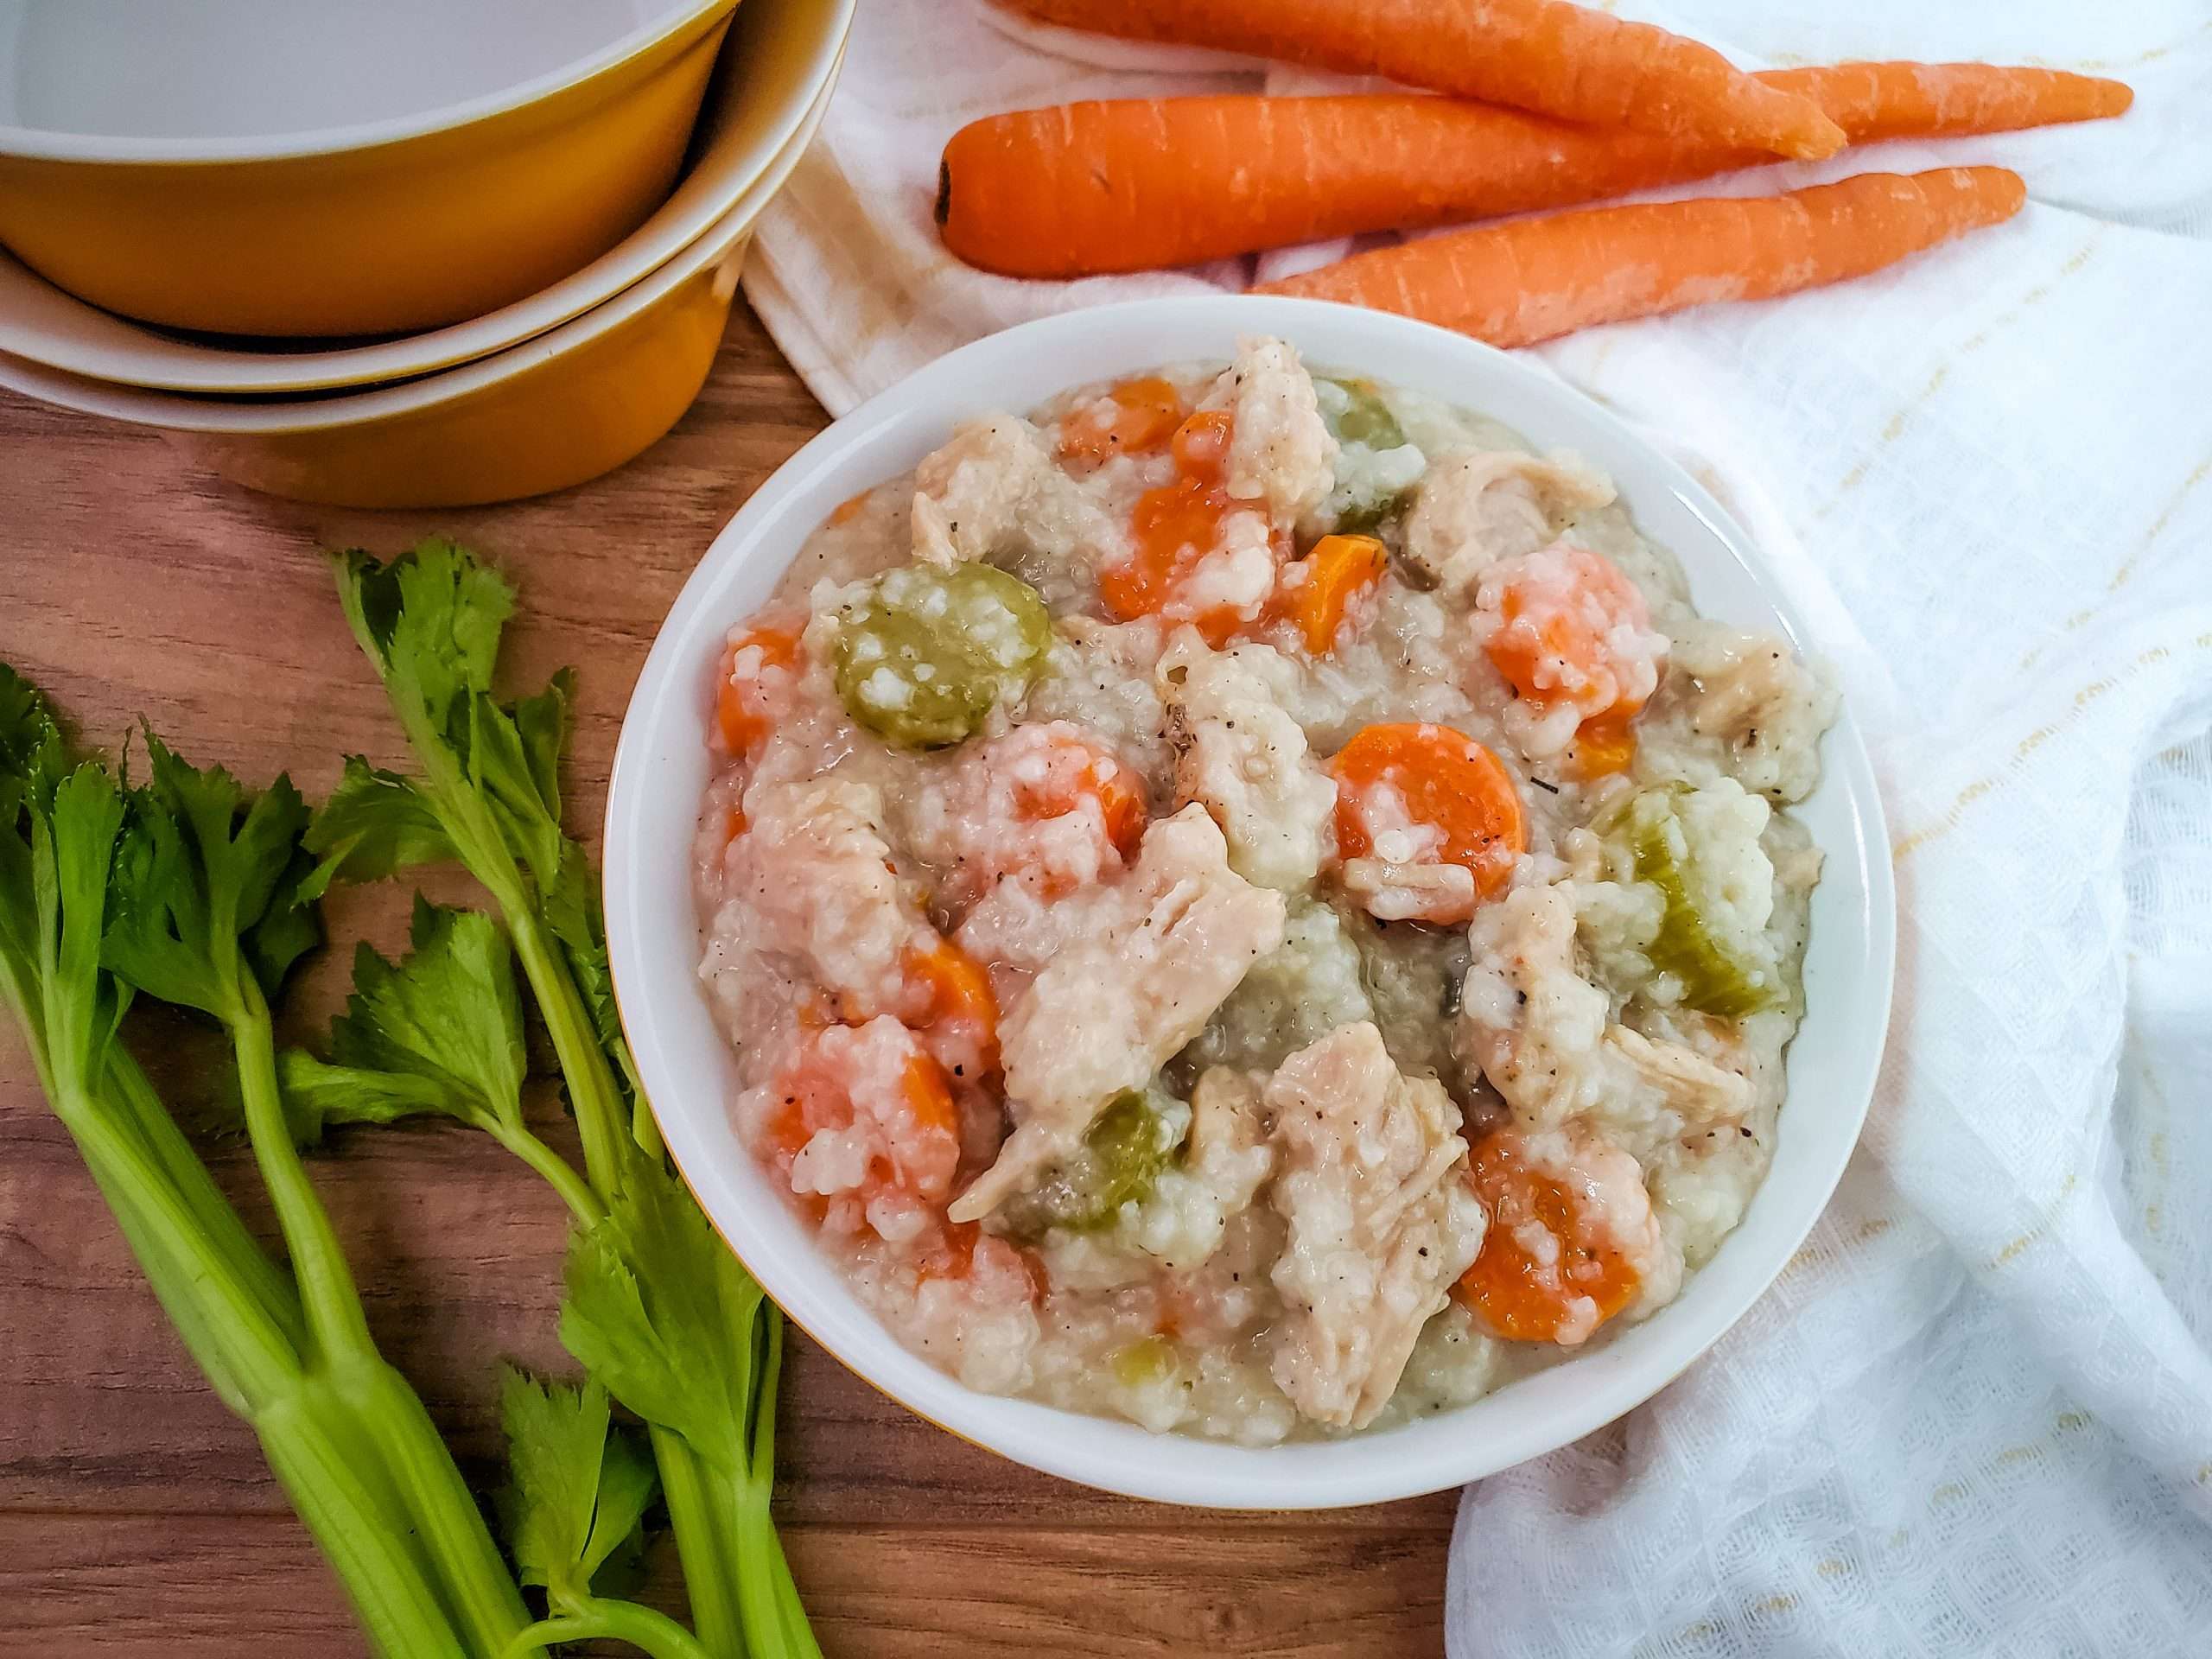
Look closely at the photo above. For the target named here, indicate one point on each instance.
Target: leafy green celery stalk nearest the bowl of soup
(658, 1311)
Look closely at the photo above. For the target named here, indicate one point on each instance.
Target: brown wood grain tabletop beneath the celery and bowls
(136, 1516)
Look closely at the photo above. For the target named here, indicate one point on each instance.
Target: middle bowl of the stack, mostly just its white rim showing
(771, 76)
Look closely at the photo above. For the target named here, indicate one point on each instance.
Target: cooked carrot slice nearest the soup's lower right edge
(1550, 1269)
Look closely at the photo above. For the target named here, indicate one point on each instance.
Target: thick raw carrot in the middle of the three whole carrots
(1151, 182)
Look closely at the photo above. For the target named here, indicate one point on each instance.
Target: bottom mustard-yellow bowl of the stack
(545, 415)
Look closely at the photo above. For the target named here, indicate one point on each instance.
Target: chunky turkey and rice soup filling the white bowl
(1251, 901)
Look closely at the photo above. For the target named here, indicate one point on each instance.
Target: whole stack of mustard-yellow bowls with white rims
(399, 255)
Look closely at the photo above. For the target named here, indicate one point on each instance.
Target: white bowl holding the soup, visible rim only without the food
(689, 1074)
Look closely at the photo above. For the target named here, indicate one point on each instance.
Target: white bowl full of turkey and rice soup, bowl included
(1249, 904)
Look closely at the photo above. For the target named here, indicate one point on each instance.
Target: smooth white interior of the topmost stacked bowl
(244, 70)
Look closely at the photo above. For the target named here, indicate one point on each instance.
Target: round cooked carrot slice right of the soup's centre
(1439, 791)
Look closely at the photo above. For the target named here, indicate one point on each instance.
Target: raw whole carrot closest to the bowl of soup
(1532, 280)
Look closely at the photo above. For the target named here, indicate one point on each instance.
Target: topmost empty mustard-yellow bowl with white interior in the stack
(269, 167)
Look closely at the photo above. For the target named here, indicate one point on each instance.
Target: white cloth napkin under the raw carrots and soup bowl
(1976, 1412)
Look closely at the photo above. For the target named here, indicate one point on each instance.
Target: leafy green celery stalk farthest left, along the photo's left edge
(83, 888)
